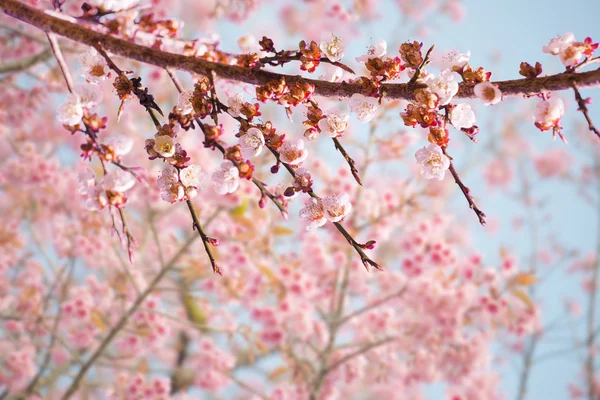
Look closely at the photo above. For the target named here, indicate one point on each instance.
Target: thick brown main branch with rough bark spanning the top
(163, 59)
